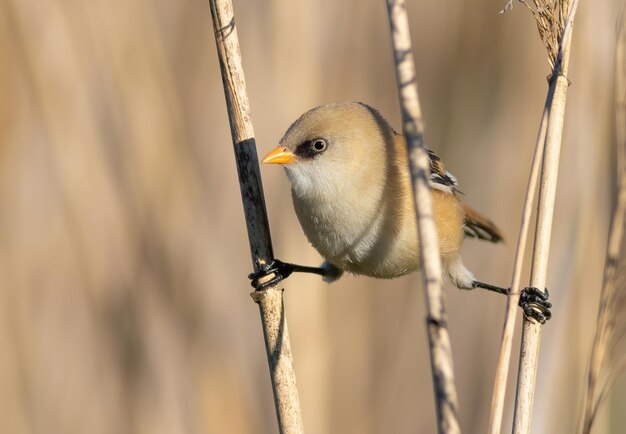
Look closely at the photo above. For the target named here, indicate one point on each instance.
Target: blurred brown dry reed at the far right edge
(608, 353)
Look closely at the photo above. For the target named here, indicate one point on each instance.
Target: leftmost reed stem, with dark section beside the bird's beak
(270, 300)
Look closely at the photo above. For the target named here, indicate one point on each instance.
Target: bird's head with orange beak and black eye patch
(332, 147)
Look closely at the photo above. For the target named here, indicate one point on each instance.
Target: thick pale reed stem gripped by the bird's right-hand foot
(531, 333)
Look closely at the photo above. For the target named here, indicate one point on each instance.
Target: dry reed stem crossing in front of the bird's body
(413, 129)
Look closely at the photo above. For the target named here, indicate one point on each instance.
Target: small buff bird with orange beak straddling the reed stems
(352, 193)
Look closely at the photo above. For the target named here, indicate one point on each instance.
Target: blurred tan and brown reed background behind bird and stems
(124, 302)
